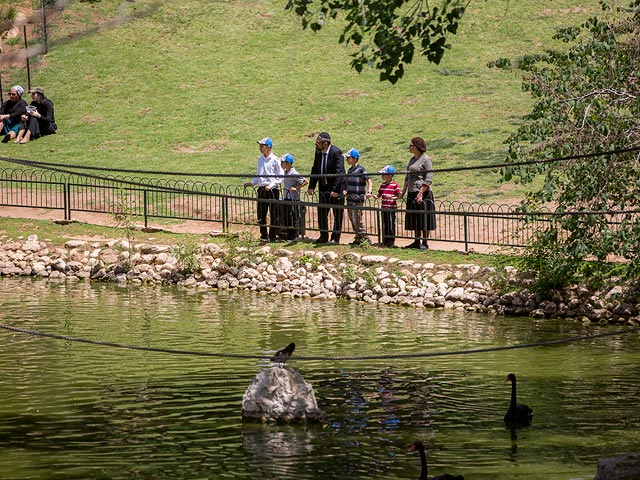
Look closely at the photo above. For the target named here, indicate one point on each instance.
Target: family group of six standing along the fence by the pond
(335, 185)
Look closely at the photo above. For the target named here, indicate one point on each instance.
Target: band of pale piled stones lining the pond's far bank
(320, 275)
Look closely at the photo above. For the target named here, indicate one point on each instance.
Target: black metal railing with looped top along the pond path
(234, 208)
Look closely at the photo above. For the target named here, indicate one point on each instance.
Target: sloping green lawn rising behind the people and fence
(189, 86)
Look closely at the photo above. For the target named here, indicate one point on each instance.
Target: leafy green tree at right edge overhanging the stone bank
(587, 99)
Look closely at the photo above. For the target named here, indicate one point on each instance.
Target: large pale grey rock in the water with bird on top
(280, 394)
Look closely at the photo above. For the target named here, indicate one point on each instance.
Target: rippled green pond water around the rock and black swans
(76, 411)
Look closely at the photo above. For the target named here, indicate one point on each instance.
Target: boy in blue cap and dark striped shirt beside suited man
(358, 187)
